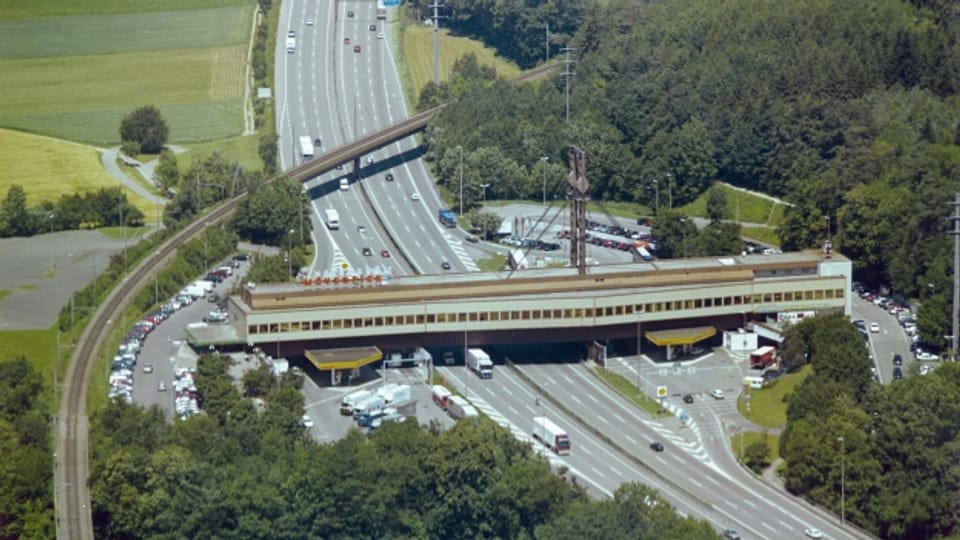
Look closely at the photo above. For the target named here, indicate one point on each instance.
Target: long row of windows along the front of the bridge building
(545, 314)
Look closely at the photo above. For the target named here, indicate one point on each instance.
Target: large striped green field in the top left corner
(74, 76)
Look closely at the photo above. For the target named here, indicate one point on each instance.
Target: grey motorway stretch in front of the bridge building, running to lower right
(703, 481)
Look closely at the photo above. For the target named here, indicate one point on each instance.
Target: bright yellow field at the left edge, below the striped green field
(48, 168)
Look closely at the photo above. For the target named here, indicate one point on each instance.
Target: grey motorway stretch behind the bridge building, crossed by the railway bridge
(363, 95)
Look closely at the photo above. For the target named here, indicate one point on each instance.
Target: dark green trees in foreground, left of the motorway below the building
(246, 472)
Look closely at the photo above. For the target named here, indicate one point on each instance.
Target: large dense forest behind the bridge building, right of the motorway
(846, 109)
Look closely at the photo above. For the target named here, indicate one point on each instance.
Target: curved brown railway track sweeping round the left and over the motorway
(72, 494)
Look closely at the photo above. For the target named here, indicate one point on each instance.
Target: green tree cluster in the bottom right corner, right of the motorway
(889, 454)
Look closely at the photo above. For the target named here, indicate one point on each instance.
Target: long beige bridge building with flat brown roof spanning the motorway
(532, 305)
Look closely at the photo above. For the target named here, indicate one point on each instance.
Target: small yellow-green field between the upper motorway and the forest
(418, 57)
